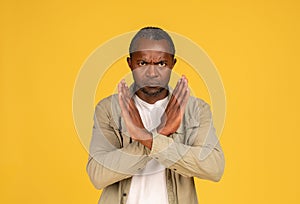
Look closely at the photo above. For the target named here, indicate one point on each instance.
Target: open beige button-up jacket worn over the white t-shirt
(192, 151)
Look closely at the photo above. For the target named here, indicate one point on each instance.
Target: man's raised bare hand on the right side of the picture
(171, 119)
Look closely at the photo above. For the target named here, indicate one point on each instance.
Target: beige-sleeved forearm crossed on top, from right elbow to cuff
(204, 162)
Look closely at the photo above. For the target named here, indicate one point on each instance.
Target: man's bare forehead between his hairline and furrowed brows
(143, 45)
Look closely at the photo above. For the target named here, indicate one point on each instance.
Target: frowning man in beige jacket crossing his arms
(149, 141)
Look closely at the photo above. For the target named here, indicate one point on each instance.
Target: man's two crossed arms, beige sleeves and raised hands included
(110, 161)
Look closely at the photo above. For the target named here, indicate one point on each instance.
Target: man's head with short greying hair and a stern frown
(151, 60)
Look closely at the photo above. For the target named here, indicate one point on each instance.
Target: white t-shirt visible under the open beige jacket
(148, 186)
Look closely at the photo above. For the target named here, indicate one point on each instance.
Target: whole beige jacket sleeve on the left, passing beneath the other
(109, 161)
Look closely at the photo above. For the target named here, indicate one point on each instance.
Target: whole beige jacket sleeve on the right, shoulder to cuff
(199, 155)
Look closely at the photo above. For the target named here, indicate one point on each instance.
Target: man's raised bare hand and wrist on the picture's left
(132, 117)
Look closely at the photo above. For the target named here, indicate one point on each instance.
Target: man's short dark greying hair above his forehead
(152, 33)
